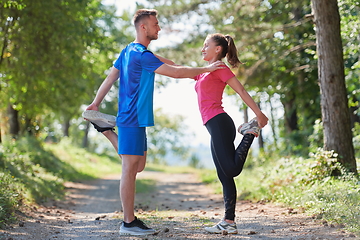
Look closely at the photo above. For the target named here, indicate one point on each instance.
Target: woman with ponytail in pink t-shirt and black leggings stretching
(229, 161)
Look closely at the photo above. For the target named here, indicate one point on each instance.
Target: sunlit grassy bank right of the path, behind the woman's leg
(301, 183)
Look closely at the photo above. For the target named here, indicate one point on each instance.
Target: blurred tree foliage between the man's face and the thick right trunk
(275, 39)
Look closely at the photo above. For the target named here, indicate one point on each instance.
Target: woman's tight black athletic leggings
(229, 161)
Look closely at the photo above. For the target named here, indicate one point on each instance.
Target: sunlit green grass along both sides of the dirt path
(31, 171)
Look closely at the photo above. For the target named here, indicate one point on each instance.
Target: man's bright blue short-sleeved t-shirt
(136, 65)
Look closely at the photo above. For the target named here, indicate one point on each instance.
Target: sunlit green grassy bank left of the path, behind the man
(31, 171)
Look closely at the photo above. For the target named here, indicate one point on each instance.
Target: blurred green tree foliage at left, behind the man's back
(48, 51)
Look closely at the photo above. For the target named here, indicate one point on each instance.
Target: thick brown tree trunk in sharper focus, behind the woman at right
(334, 102)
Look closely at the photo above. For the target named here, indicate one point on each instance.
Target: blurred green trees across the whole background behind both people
(54, 55)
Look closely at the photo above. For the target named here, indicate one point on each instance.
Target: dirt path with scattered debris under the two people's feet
(179, 209)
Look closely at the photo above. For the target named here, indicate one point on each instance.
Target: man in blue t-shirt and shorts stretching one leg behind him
(136, 67)
